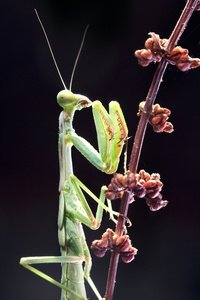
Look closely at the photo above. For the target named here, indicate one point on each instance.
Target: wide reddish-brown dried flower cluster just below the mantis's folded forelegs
(141, 185)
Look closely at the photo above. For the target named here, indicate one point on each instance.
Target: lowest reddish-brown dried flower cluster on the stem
(111, 241)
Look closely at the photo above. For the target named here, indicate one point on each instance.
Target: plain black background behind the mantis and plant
(167, 265)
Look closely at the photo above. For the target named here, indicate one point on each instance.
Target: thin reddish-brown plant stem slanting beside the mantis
(139, 137)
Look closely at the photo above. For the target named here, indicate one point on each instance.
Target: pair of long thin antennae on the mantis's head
(51, 51)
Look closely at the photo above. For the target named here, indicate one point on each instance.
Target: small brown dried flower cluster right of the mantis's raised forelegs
(158, 118)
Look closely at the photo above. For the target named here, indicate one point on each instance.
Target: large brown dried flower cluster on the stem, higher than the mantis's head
(155, 50)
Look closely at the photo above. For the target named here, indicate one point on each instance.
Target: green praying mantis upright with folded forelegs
(73, 208)
